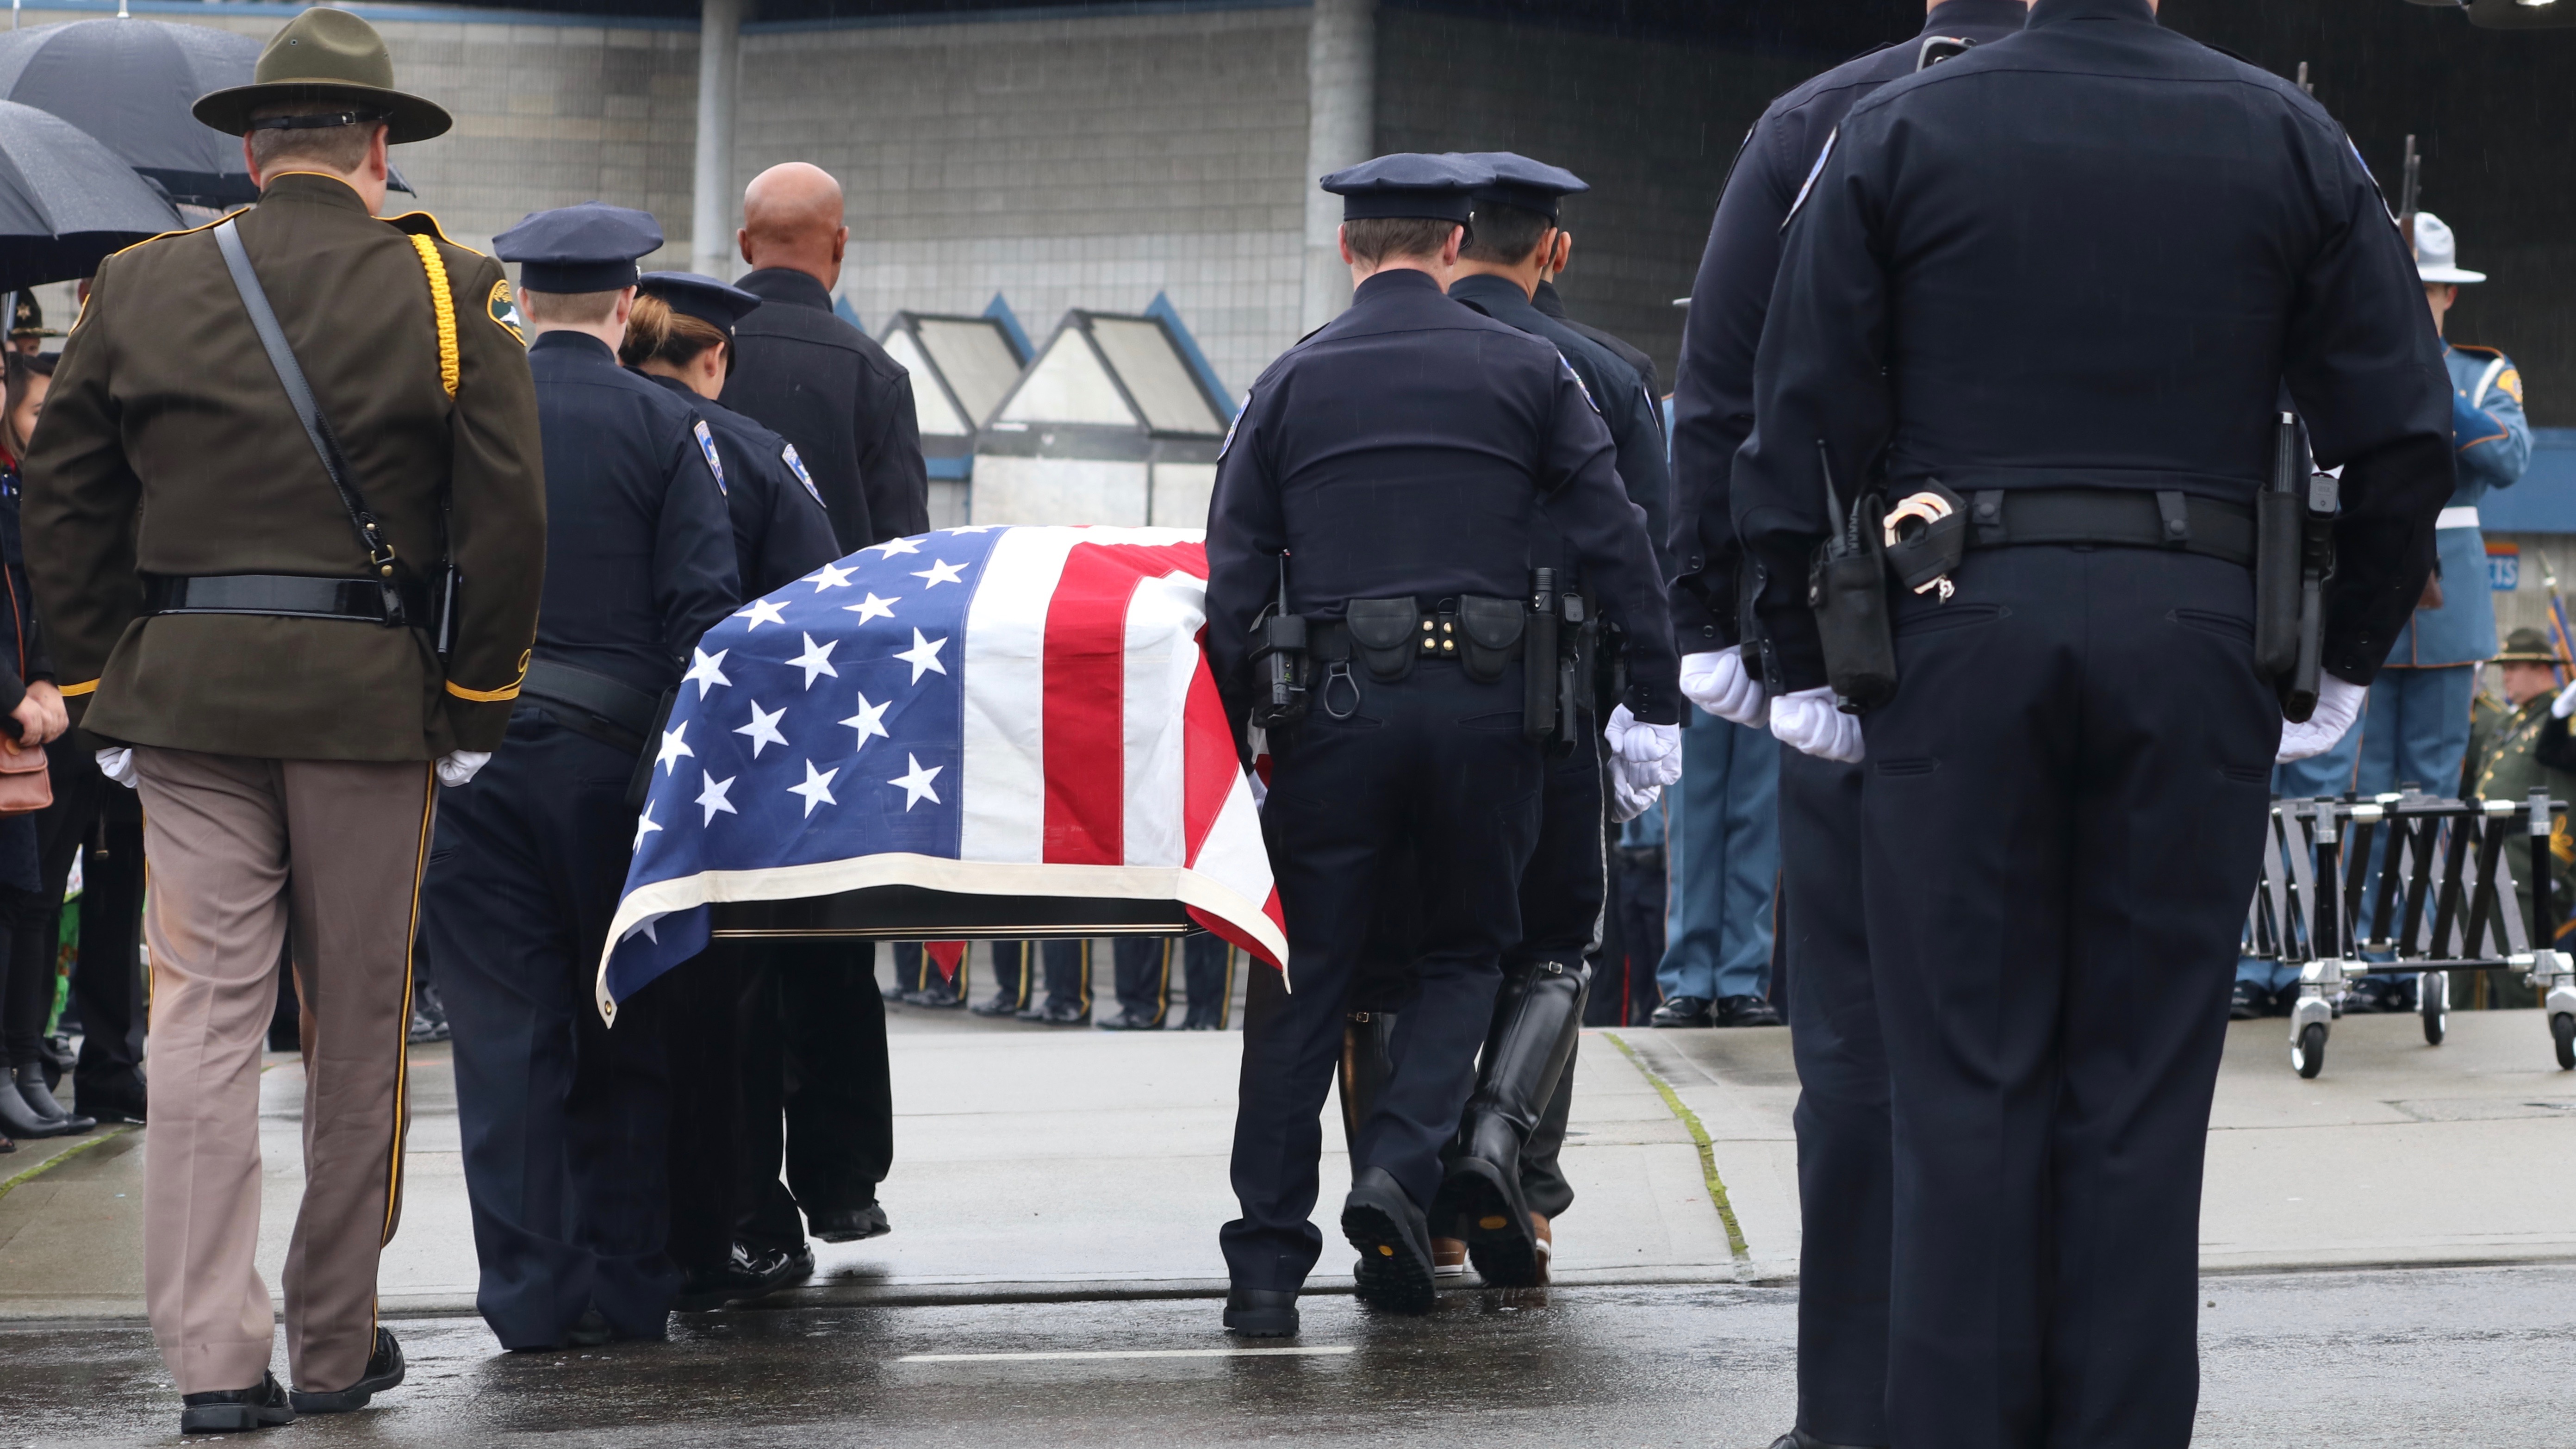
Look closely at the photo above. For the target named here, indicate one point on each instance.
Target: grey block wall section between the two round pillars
(1065, 163)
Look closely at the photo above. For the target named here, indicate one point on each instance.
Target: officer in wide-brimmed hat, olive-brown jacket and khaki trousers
(269, 454)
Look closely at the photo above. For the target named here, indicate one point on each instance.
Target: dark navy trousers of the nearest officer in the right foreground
(2065, 809)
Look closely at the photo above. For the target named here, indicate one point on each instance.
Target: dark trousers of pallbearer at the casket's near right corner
(1434, 766)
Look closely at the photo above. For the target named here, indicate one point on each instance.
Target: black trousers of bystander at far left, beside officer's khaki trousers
(107, 982)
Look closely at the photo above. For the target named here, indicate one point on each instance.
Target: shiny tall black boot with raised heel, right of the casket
(1537, 1020)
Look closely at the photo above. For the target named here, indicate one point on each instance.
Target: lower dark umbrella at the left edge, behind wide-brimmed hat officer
(66, 199)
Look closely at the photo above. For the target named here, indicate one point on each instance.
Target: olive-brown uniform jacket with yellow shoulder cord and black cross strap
(169, 449)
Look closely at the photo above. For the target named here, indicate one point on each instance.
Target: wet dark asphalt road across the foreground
(2412, 1358)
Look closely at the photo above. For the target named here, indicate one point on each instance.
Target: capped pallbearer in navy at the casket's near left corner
(565, 1121)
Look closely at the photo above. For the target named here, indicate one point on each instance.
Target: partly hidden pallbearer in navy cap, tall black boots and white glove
(1516, 1121)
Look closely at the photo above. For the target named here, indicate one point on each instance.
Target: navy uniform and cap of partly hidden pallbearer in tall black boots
(1526, 1075)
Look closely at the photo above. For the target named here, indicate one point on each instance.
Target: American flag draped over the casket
(1001, 712)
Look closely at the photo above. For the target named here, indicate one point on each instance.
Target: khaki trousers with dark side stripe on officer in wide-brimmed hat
(236, 851)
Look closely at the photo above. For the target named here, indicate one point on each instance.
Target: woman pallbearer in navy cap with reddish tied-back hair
(681, 336)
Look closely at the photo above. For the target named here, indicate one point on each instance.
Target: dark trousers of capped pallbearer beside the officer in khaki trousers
(563, 1121)
